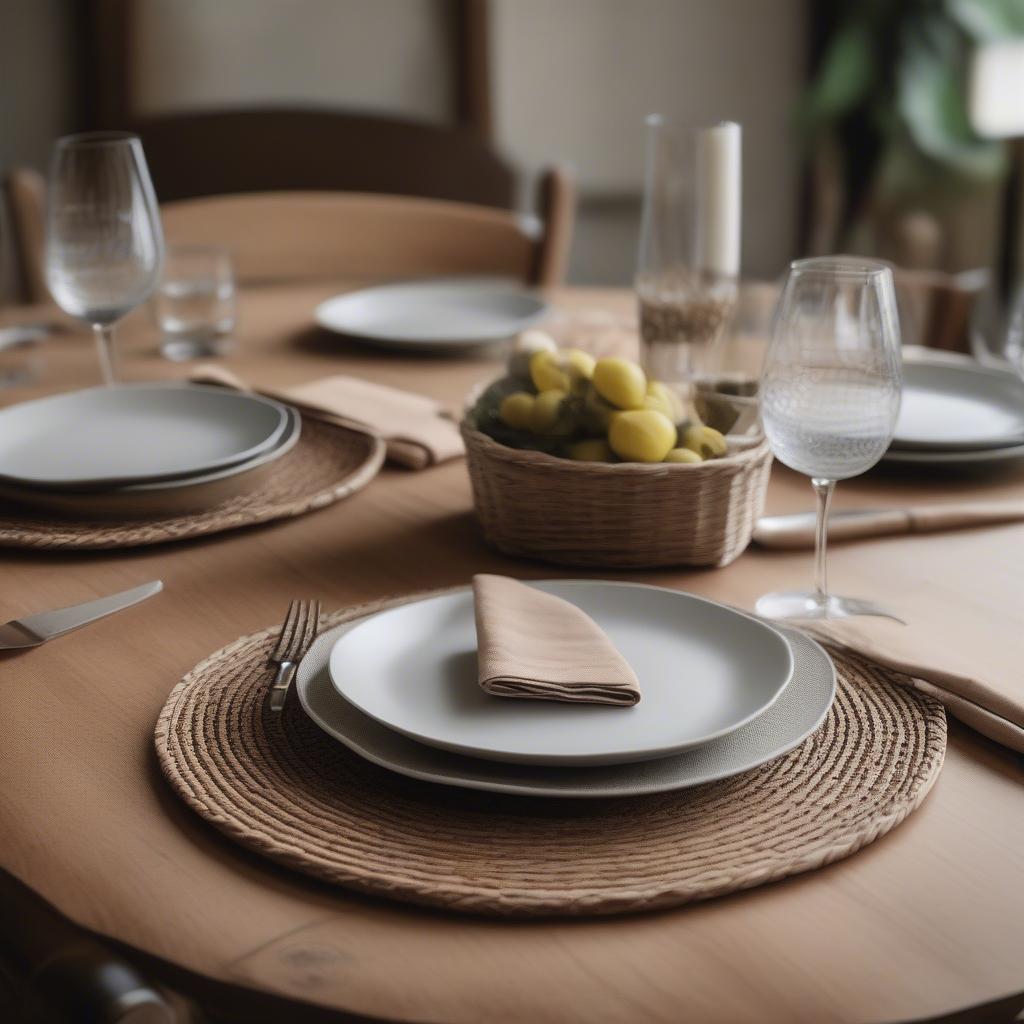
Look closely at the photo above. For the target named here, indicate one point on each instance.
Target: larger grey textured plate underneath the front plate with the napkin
(799, 711)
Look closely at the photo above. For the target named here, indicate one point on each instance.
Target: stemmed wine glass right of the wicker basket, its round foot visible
(831, 396)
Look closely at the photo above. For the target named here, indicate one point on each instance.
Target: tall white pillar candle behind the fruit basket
(717, 199)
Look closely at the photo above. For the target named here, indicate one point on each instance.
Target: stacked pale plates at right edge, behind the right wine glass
(958, 414)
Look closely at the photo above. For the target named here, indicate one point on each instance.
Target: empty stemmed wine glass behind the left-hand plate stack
(105, 244)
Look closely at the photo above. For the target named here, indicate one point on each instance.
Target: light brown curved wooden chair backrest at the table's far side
(282, 237)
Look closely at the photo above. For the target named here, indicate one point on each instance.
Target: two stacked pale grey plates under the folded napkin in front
(723, 693)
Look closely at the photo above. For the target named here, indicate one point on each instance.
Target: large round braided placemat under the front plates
(285, 790)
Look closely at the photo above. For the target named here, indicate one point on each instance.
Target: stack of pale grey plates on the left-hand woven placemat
(141, 449)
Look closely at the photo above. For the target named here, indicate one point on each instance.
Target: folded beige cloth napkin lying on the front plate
(537, 647)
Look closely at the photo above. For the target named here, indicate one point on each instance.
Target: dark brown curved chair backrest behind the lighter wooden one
(296, 150)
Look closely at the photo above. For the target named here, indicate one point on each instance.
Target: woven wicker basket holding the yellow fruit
(626, 516)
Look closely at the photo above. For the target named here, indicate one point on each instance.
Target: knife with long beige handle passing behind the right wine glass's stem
(797, 531)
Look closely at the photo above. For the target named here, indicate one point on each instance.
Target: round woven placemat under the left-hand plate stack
(329, 463)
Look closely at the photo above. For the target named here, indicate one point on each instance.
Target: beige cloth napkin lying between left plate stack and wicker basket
(414, 428)
